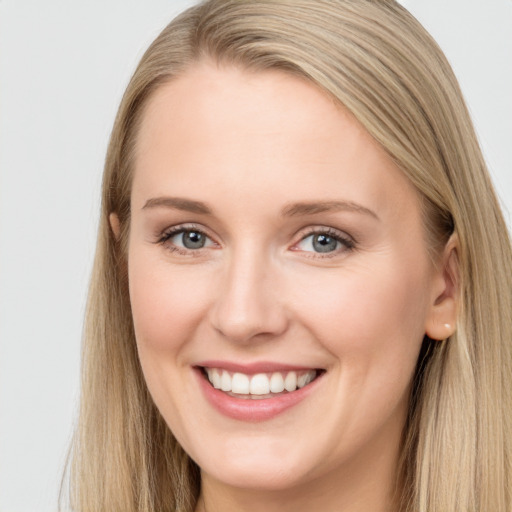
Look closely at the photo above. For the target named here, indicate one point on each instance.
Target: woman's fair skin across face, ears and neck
(248, 145)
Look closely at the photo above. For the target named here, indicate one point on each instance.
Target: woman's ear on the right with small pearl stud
(442, 318)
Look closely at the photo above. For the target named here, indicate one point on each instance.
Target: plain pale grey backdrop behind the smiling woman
(63, 67)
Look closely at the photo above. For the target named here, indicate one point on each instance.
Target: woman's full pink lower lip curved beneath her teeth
(253, 410)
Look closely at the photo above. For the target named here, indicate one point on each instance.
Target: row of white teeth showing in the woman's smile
(259, 384)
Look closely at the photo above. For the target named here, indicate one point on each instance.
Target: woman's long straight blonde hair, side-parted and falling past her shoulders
(373, 57)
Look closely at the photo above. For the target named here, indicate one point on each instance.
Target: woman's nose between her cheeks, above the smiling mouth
(249, 305)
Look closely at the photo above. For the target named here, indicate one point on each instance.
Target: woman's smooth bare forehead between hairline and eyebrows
(229, 131)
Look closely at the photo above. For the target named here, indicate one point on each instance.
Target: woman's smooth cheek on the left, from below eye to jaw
(168, 305)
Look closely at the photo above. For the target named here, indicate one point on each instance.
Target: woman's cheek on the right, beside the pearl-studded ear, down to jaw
(371, 321)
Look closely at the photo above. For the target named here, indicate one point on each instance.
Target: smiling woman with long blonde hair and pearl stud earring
(302, 289)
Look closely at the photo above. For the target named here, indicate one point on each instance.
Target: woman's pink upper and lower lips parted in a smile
(249, 410)
